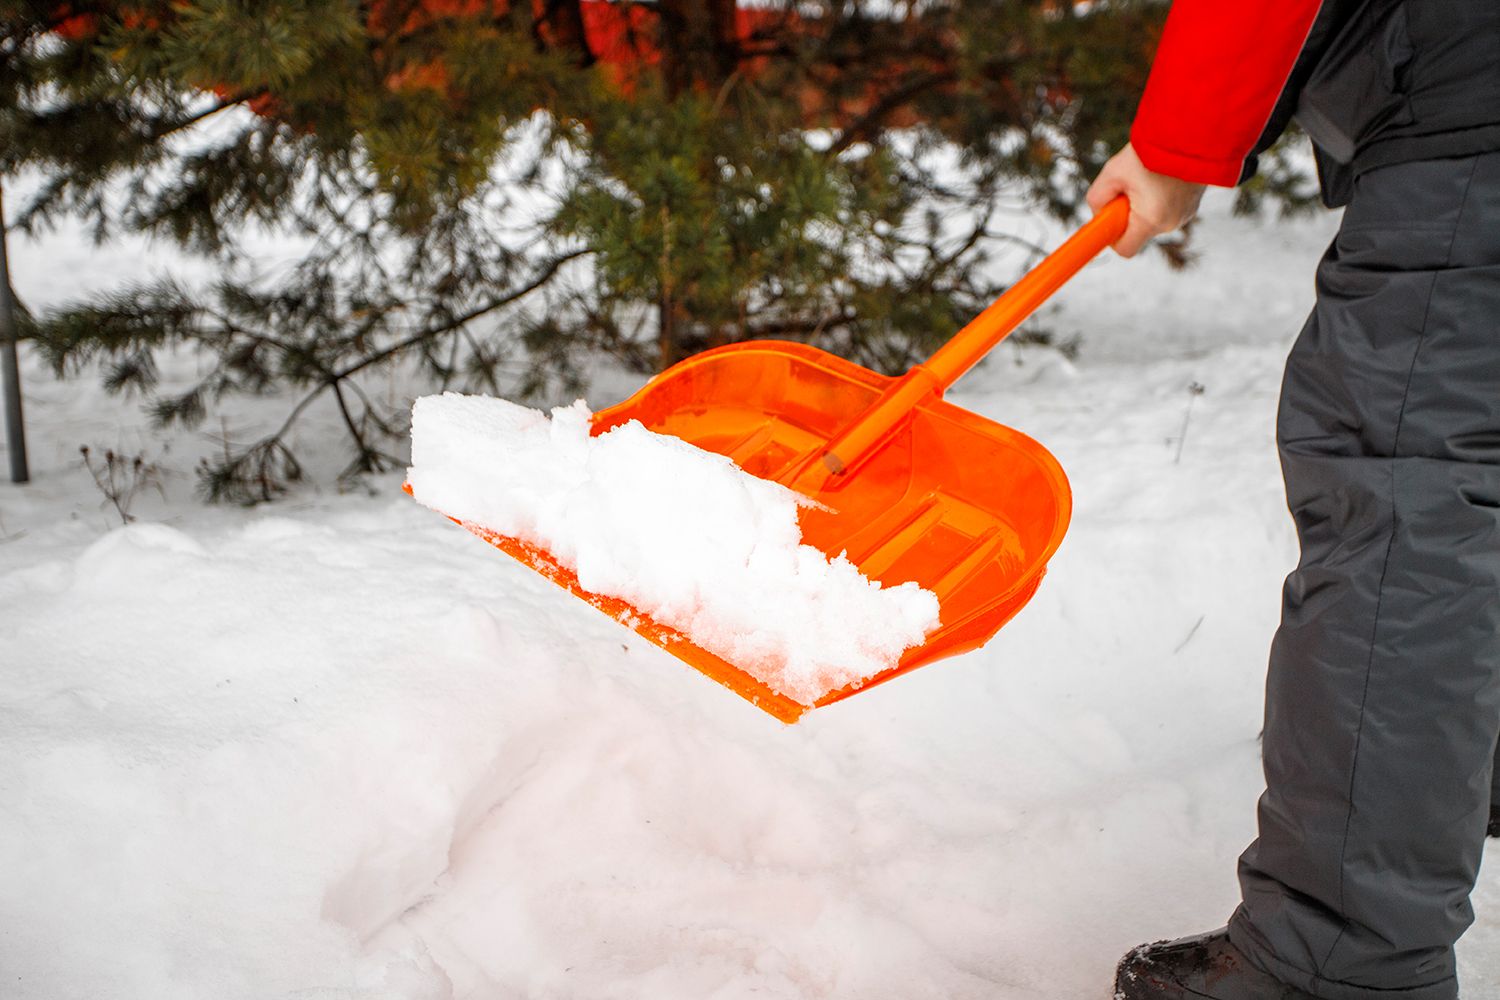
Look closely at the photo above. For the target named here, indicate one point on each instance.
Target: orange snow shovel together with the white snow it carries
(791, 524)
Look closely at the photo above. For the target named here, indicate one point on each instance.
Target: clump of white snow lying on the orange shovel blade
(682, 534)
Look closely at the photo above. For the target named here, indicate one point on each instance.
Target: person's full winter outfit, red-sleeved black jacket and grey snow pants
(1384, 692)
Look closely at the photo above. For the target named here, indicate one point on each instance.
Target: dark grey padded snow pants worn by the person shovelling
(1384, 693)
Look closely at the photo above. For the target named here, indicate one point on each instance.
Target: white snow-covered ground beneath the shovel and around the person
(337, 749)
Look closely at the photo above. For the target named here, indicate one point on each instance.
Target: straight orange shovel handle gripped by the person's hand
(977, 340)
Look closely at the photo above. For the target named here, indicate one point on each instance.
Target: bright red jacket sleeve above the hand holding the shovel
(1219, 86)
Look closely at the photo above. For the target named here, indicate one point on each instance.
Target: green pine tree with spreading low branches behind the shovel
(820, 172)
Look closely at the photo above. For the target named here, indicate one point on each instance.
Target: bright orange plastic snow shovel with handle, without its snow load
(908, 487)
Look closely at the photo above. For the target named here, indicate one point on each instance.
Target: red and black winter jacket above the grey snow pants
(1373, 82)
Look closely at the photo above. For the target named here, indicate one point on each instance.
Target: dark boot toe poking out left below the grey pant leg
(1204, 968)
